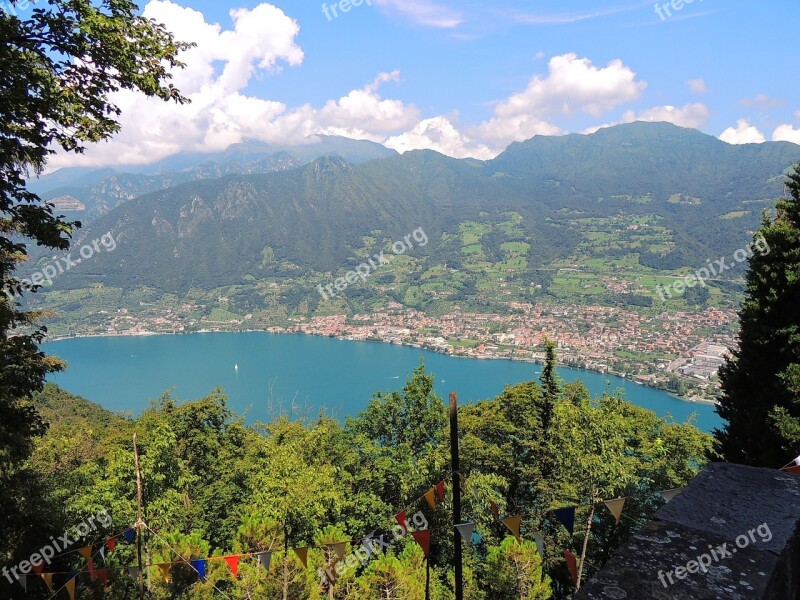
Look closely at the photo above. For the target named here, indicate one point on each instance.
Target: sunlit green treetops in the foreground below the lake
(215, 486)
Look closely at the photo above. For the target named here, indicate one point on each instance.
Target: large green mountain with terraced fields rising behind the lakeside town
(632, 198)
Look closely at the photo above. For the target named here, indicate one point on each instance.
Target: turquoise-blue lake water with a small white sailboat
(264, 374)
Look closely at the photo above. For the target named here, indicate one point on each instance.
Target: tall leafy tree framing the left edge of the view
(58, 67)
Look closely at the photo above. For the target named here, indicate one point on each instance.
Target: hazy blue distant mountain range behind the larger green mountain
(101, 190)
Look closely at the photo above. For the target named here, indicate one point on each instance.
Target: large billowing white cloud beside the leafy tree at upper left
(217, 71)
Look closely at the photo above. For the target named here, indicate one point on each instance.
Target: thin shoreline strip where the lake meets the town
(376, 341)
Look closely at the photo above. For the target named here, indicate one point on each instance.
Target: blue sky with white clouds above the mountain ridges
(462, 77)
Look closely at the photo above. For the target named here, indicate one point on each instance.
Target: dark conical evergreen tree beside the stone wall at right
(761, 381)
